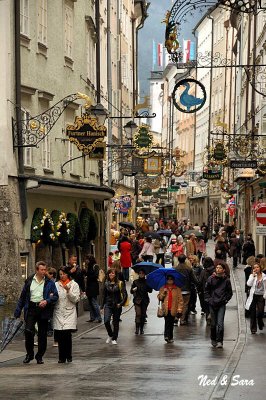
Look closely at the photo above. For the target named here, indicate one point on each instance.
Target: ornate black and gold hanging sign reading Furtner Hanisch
(88, 136)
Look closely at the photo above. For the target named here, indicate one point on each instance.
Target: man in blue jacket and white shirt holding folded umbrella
(37, 298)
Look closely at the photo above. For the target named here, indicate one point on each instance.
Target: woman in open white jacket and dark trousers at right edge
(256, 299)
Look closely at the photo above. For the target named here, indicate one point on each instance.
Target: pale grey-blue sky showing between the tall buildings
(154, 30)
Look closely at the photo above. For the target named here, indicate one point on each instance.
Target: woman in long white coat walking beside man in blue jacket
(65, 314)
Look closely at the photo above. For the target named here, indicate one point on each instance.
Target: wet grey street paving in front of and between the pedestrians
(145, 366)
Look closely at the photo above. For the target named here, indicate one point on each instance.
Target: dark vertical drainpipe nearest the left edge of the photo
(21, 181)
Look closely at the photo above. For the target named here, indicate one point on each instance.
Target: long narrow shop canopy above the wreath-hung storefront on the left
(49, 186)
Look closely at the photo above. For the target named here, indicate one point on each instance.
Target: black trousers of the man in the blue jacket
(34, 316)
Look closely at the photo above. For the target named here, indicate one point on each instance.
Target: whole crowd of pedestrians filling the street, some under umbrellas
(50, 298)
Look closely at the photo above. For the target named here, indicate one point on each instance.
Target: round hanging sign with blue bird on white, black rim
(189, 95)
